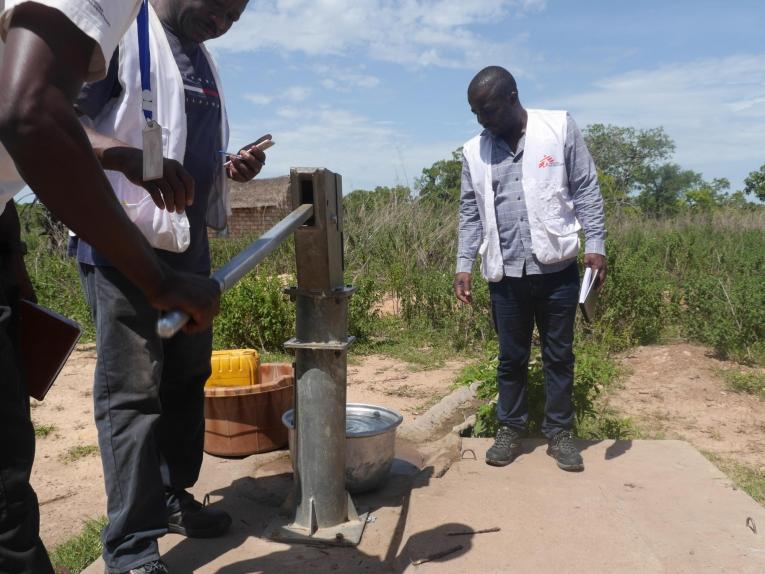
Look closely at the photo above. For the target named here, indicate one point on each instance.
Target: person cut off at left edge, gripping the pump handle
(48, 48)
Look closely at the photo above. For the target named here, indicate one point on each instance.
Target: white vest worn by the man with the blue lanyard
(125, 121)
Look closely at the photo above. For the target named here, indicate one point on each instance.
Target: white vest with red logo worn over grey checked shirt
(552, 220)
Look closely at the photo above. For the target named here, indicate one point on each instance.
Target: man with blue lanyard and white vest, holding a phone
(149, 392)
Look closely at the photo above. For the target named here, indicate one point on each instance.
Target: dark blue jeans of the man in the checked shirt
(516, 303)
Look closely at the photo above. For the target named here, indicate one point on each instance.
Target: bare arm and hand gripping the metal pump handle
(44, 66)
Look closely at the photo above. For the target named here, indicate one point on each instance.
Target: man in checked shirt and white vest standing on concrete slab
(528, 186)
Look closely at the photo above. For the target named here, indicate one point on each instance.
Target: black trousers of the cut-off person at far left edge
(21, 550)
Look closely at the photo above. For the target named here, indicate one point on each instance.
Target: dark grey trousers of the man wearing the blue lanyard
(149, 408)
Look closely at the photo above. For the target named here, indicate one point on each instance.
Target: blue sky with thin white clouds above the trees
(375, 90)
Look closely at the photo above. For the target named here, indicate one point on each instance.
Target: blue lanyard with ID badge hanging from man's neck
(152, 131)
